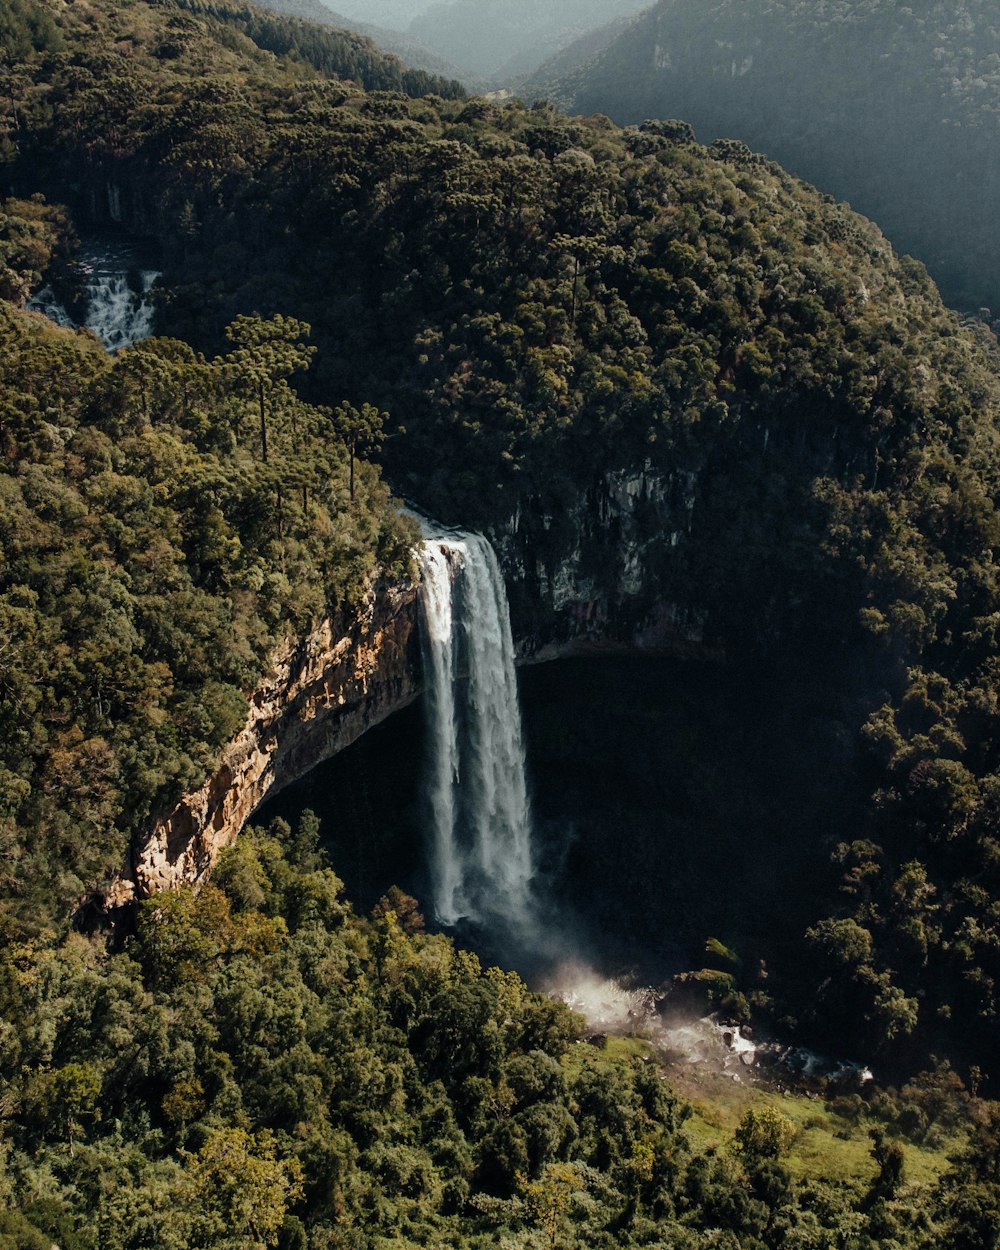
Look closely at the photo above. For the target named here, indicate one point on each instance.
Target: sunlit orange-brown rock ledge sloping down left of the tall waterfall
(323, 693)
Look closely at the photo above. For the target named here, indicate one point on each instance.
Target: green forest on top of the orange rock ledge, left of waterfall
(152, 561)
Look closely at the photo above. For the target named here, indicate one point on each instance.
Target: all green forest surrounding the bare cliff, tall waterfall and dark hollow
(513, 304)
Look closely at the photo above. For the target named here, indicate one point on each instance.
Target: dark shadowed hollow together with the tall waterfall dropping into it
(646, 804)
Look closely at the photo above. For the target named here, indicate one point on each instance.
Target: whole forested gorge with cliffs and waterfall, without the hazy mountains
(741, 472)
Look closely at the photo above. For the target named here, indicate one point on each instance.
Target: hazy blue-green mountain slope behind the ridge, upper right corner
(892, 107)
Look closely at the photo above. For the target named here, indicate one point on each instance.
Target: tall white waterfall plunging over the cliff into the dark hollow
(478, 796)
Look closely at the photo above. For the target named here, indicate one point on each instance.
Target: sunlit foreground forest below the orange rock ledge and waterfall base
(263, 1068)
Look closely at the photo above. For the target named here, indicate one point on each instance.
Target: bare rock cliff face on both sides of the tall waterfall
(588, 591)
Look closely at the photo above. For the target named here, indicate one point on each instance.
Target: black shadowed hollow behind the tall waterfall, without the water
(673, 802)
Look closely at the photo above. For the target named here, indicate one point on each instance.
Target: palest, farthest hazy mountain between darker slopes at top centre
(512, 38)
